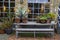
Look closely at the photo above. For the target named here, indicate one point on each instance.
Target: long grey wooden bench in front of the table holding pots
(18, 30)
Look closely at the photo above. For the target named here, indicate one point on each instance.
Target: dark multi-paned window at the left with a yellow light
(6, 6)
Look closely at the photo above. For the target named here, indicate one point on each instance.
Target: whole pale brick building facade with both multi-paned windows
(34, 5)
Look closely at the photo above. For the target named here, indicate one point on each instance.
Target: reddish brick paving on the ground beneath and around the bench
(13, 37)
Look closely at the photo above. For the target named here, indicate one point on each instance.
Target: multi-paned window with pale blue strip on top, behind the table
(37, 7)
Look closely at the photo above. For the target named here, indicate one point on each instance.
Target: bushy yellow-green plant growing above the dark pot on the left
(7, 22)
